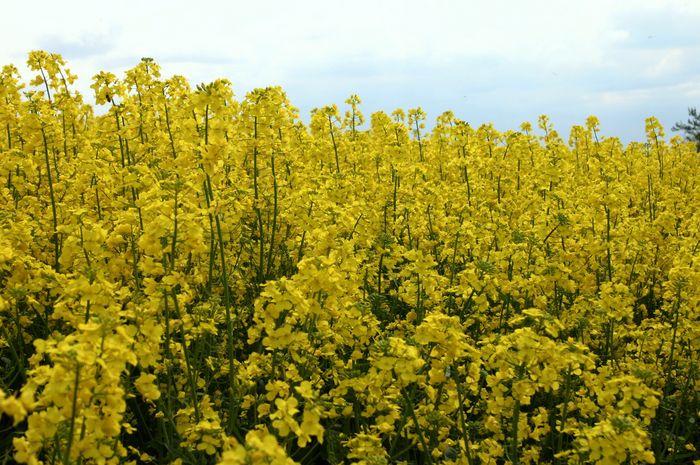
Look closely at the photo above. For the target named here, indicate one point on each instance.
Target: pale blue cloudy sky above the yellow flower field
(498, 61)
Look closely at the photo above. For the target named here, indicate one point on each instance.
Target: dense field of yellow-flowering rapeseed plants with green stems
(193, 277)
